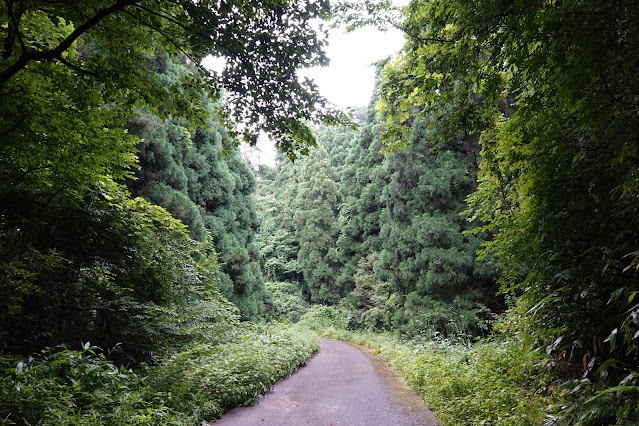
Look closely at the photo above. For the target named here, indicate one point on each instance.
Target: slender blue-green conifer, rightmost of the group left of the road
(224, 188)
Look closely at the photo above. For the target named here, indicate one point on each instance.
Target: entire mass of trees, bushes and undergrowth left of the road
(126, 219)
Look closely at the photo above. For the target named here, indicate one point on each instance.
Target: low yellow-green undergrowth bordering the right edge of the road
(486, 383)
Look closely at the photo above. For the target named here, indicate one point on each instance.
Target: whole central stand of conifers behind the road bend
(384, 234)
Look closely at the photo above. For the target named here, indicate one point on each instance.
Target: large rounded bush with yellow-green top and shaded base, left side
(118, 270)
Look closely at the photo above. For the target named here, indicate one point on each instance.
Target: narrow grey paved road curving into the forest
(340, 385)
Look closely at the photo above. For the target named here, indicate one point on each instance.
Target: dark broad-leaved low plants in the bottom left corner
(62, 386)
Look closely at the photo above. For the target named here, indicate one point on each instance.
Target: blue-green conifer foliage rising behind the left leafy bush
(186, 173)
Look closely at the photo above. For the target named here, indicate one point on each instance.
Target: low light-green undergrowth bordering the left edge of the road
(208, 380)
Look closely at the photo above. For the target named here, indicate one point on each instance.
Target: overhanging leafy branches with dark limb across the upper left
(264, 44)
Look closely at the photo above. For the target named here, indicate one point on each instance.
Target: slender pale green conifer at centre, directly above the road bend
(315, 220)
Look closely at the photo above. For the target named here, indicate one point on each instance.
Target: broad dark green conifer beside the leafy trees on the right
(426, 256)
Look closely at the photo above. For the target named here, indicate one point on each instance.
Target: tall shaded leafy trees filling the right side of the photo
(558, 187)
